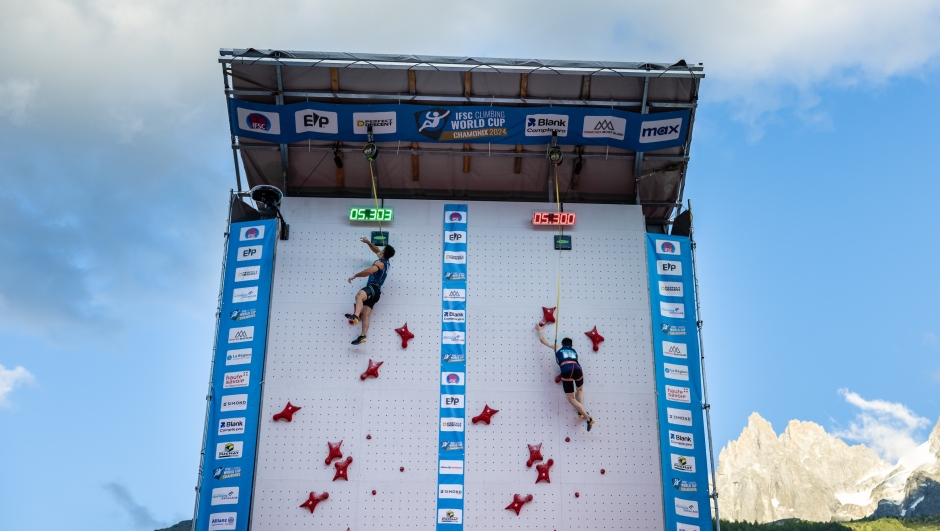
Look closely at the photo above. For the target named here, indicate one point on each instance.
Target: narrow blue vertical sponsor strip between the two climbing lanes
(451, 440)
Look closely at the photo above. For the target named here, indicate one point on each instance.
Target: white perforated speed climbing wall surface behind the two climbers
(512, 273)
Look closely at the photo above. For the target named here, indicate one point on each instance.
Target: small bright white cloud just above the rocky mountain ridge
(886, 427)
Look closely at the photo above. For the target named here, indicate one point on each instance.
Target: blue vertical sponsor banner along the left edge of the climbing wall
(235, 403)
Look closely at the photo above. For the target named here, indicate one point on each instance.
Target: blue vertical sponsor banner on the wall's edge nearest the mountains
(678, 384)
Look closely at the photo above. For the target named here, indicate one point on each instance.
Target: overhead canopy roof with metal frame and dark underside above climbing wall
(479, 171)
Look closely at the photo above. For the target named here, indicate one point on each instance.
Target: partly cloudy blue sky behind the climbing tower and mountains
(811, 180)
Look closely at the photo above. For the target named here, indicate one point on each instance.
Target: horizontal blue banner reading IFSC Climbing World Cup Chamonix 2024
(286, 124)
